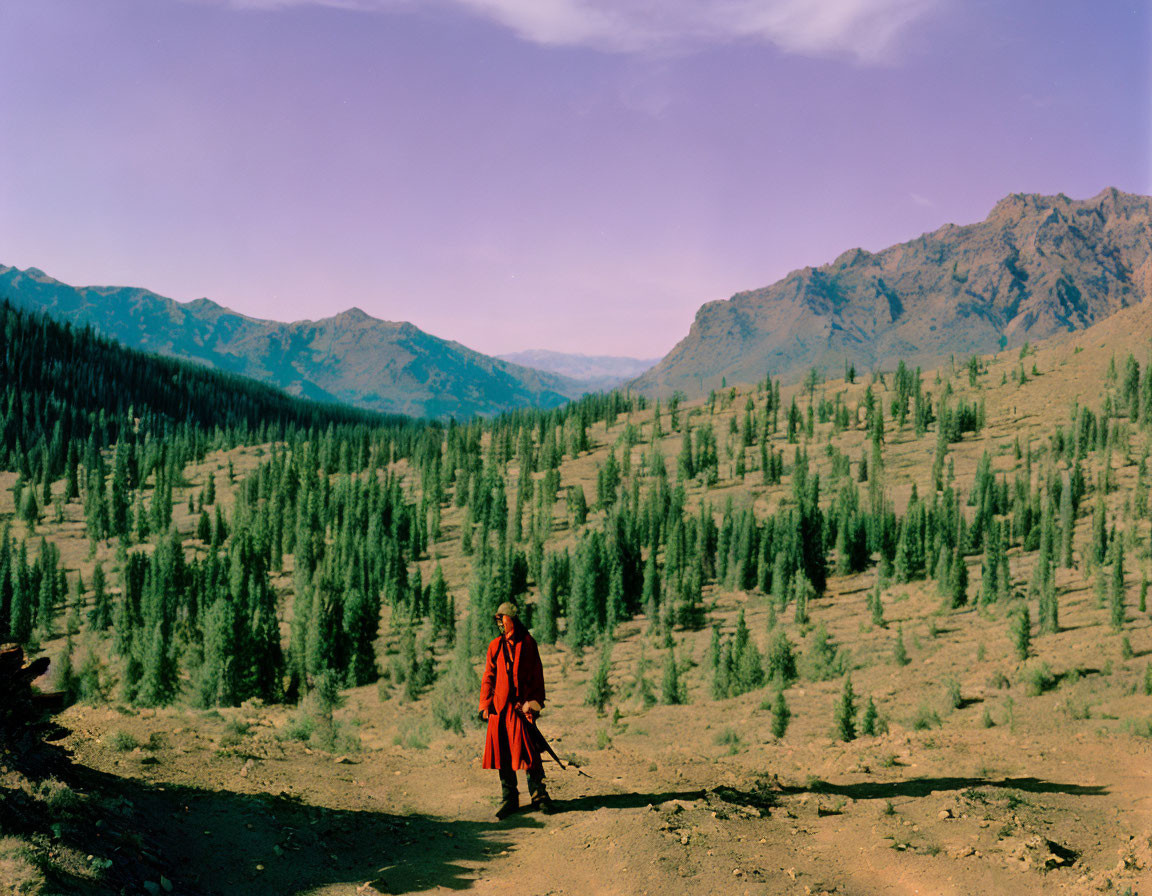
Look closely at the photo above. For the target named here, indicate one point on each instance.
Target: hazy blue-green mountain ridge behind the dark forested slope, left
(393, 368)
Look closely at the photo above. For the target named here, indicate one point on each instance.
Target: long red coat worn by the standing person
(509, 745)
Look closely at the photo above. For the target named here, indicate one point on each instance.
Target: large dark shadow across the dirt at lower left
(209, 842)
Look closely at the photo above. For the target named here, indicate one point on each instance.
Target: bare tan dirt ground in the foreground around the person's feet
(945, 813)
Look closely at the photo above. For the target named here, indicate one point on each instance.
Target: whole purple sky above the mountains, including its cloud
(578, 176)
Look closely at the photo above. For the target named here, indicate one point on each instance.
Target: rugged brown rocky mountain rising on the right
(1037, 267)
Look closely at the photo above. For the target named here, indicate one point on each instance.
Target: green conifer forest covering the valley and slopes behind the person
(180, 538)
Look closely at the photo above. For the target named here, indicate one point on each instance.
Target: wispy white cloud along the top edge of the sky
(869, 32)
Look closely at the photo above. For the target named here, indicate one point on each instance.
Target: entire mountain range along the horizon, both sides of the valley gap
(1036, 267)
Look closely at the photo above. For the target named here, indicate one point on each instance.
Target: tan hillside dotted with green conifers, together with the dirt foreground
(760, 611)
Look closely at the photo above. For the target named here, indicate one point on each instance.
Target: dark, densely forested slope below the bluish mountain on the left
(65, 389)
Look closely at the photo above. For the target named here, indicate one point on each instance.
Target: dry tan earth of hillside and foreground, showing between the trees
(984, 772)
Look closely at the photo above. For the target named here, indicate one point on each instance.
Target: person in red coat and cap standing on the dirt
(512, 697)
